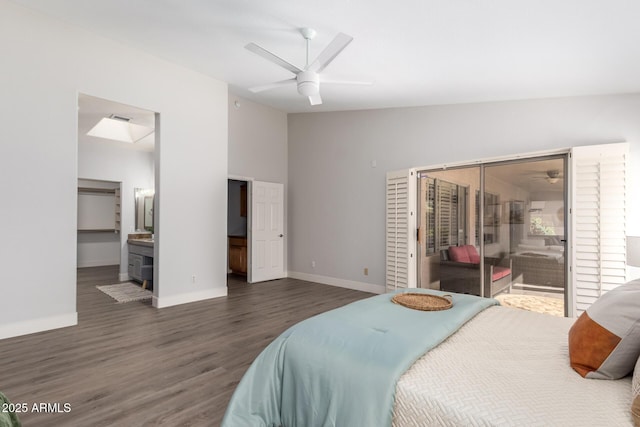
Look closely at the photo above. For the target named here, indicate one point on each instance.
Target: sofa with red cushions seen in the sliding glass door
(460, 271)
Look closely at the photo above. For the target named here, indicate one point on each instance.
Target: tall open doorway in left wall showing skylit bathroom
(116, 149)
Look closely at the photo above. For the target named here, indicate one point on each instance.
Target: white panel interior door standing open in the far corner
(267, 231)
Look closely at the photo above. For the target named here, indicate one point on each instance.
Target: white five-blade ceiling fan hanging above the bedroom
(307, 79)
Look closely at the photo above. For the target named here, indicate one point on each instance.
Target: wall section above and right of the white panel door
(258, 146)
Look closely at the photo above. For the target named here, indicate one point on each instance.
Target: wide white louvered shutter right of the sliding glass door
(598, 221)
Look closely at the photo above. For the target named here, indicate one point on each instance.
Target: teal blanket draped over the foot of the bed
(340, 368)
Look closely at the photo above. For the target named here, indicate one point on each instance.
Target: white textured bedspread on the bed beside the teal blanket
(507, 367)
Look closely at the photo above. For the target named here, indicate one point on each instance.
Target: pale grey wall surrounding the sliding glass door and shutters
(336, 197)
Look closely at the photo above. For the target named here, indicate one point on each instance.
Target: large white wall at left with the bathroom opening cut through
(46, 64)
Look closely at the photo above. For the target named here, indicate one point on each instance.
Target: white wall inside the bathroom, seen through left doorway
(110, 161)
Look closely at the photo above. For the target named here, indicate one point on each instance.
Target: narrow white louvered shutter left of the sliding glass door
(401, 230)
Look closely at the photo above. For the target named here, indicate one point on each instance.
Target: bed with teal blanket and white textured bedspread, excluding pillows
(495, 366)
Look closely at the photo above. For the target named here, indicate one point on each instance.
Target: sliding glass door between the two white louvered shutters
(497, 230)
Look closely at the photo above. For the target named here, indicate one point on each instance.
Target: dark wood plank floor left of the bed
(132, 365)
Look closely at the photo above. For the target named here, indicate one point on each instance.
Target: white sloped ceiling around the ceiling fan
(419, 52)
